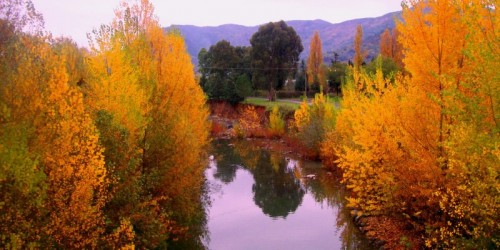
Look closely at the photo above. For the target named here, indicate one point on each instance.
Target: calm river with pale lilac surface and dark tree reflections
(265, 200)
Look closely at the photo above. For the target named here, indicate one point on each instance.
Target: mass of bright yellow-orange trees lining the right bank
(420, 145)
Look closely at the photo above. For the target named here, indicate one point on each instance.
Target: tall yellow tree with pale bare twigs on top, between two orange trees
(117, 89)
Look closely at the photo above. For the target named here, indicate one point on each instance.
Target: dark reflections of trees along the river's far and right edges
(280, 185)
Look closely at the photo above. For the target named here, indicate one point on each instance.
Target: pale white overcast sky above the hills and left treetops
(75, 18)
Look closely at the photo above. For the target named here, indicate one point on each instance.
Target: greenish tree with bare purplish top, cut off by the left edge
(23, 187)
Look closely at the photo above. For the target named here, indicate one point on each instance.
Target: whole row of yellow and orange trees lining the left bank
(99, 148)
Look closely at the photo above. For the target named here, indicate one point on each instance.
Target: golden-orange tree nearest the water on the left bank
(177, 133)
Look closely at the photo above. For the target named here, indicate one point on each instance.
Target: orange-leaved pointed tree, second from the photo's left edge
(74, 166)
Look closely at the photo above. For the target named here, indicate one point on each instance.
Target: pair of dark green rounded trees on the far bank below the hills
(232, 73)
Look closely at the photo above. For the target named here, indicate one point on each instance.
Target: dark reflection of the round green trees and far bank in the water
(276, 190)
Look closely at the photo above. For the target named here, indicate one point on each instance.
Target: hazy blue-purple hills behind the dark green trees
(336, 38)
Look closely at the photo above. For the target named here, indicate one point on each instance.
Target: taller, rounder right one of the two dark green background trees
(275, 54)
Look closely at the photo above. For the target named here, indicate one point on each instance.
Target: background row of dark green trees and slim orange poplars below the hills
(272, 63)
